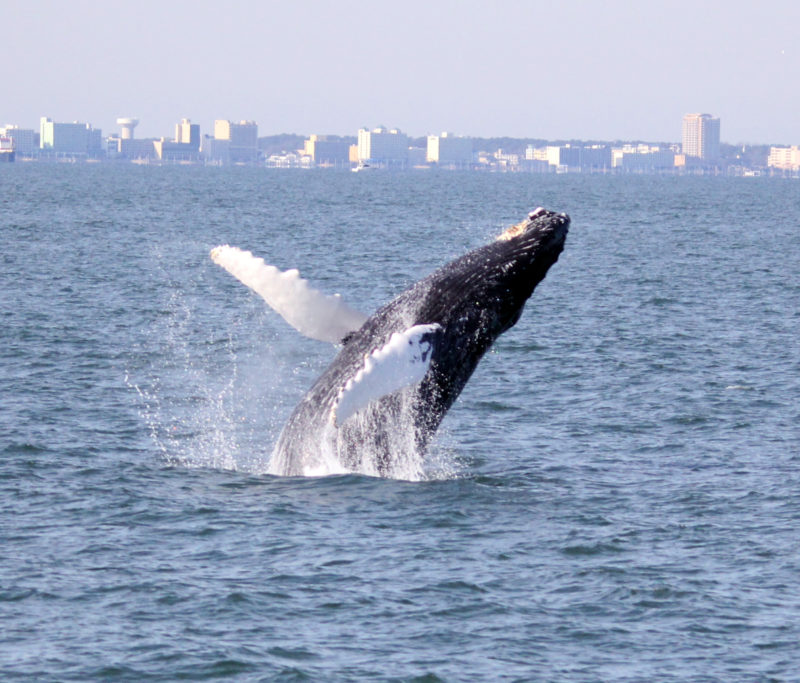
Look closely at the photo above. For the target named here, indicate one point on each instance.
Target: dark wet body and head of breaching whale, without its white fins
(474, 299)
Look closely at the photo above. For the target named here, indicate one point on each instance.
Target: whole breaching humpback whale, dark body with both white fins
(399, 370)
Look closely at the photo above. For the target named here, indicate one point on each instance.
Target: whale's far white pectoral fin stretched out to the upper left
(310, 312)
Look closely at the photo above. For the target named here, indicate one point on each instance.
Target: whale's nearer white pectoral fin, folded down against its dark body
(401, 362)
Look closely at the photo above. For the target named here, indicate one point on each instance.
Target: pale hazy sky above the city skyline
(590, 70)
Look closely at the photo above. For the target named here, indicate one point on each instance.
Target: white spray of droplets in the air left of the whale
(204, 398)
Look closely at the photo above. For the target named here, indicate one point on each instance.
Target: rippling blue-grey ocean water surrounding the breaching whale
(615, 497)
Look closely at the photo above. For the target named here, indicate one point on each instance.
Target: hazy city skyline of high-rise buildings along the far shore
(238, 143)
